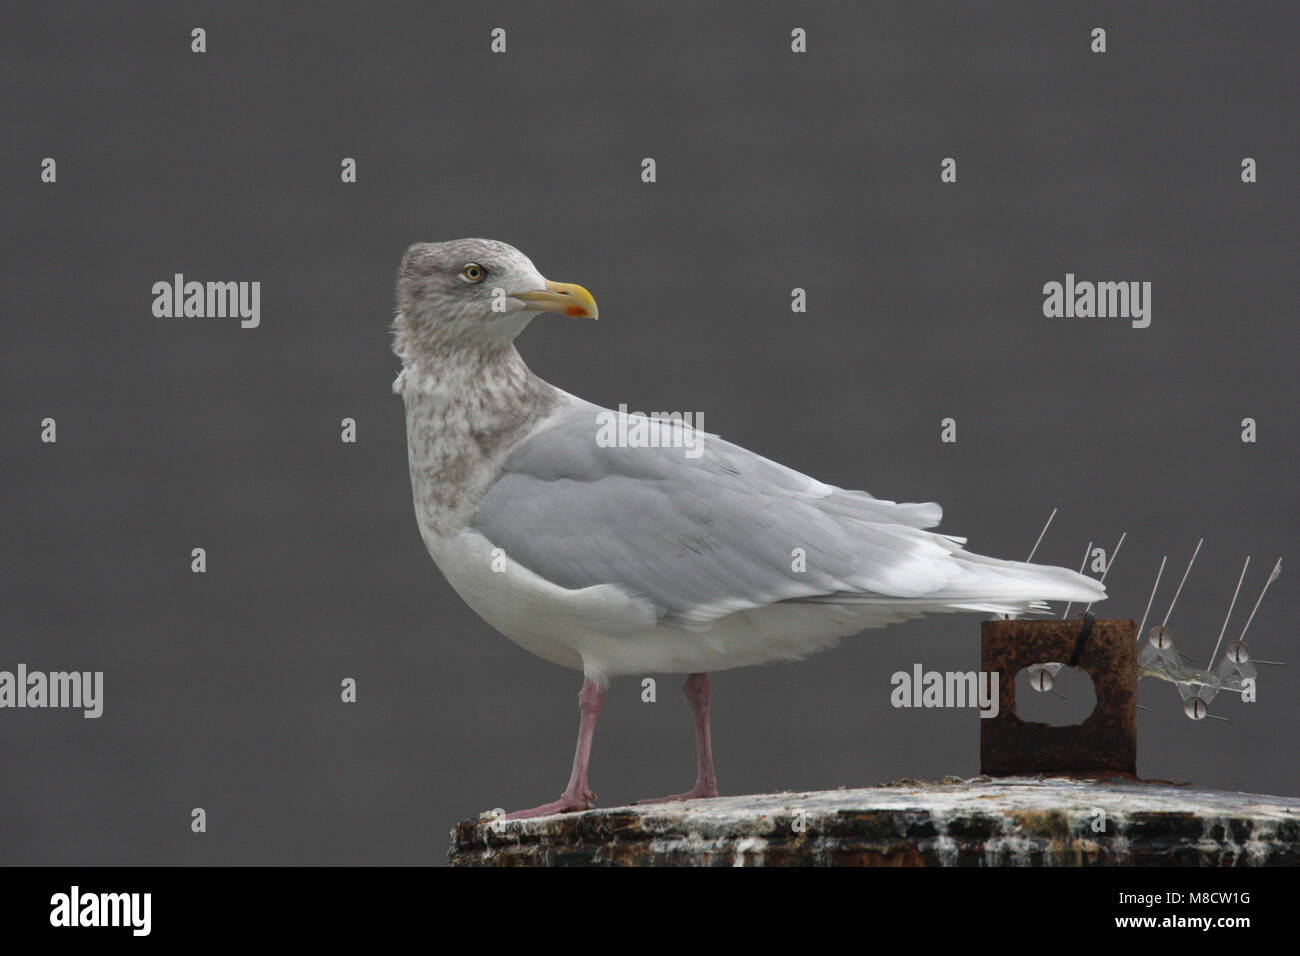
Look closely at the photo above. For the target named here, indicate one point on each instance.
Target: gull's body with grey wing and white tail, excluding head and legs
(618, 561)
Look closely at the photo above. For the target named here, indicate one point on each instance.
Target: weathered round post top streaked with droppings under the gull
(980, 823)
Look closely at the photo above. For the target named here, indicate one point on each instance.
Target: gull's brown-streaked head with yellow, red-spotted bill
(478, 295)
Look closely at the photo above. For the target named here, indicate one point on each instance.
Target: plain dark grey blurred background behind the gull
(775, 171)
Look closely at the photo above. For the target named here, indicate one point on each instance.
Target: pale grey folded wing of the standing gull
(701, 538)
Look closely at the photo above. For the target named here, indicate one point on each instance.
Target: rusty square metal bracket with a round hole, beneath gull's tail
(1106, 743)
